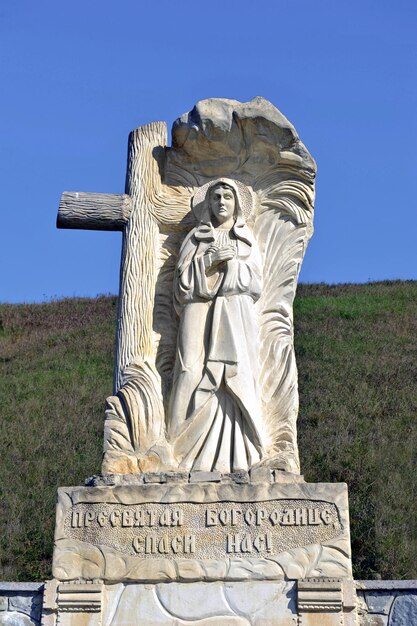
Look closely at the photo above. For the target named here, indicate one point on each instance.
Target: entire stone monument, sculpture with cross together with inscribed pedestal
(200, 515)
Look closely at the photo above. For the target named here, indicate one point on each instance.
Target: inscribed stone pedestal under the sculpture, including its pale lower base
(202, 549)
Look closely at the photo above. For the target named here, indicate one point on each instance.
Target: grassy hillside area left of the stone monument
(56, 371)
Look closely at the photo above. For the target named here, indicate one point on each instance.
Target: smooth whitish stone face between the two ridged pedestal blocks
(192, 604)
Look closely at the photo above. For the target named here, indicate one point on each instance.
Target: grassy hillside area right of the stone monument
(357, 360)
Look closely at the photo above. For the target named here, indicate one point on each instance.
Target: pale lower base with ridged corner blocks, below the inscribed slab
(255, 603)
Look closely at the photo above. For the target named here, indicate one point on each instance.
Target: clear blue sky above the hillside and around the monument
(77, 76)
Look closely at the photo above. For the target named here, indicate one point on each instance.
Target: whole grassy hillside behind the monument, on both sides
(357, 359)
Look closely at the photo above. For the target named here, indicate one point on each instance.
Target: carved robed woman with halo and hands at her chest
(214, 414)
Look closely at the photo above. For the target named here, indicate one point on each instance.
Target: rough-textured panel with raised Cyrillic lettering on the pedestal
(204, 531)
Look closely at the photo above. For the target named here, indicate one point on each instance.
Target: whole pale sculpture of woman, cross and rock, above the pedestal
(205, 374)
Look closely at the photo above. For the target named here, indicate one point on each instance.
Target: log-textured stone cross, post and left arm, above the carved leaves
(133, 213)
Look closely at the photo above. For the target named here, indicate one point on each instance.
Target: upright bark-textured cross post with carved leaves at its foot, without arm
(135, 414)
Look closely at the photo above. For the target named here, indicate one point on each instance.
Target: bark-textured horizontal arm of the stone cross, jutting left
(93, 211)
